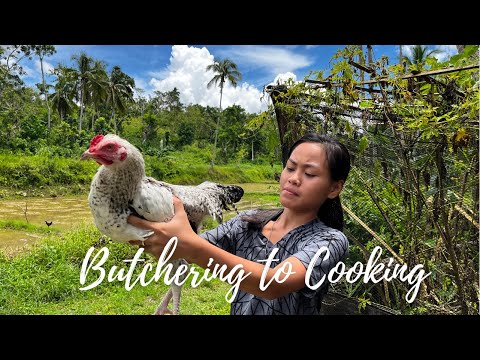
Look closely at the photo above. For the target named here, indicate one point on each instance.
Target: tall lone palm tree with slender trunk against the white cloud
(225, 70)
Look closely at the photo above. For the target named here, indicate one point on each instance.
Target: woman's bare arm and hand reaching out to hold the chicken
(196, 250)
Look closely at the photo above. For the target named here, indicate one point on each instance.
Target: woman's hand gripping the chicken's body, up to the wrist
(178, 226)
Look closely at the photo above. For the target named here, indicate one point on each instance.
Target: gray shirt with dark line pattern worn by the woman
(238, 238)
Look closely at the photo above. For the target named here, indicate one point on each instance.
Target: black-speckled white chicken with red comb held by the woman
(121, 188)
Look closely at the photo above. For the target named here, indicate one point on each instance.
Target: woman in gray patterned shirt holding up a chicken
(311, 218)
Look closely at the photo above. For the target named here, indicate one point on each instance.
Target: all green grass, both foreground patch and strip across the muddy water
(45, 277)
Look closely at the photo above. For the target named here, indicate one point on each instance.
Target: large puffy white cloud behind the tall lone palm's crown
(187, 72)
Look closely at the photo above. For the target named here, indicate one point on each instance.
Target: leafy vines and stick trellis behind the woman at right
(415, 176)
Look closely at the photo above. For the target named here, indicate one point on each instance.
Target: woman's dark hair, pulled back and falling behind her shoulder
(338, 159)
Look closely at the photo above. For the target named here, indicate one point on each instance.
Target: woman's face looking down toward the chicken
(305, 182)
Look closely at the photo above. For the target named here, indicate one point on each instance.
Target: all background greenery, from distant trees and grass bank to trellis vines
(414, 144)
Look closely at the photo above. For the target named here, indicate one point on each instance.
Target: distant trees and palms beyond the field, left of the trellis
(87, 99)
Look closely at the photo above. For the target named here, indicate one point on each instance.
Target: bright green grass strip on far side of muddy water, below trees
(40, 175)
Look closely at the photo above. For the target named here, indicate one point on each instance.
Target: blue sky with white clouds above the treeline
(163, 67)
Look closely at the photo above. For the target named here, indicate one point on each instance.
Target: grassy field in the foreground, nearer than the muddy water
(44, 278)
